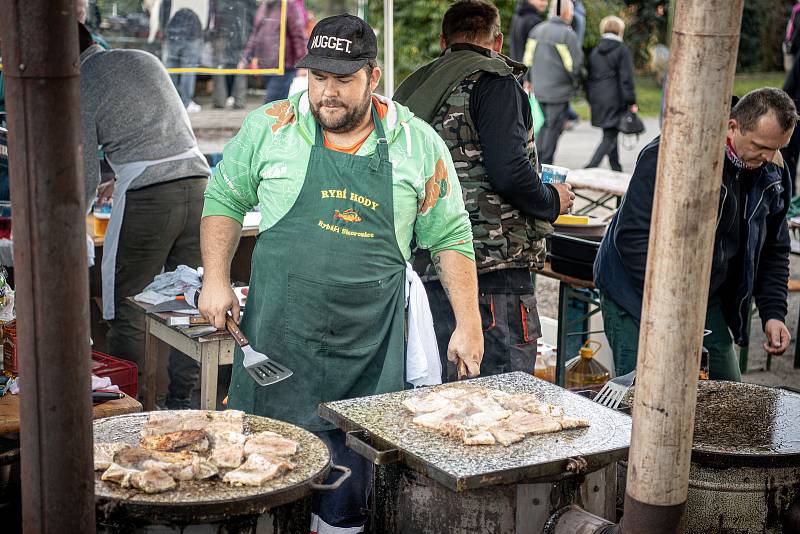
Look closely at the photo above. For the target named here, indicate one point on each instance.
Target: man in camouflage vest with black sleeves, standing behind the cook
(472, 98)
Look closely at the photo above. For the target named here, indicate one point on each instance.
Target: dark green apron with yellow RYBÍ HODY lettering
(327, 290)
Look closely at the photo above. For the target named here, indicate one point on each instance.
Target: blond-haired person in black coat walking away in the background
(610, 88)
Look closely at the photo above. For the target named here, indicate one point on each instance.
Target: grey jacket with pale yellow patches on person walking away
(556, 60)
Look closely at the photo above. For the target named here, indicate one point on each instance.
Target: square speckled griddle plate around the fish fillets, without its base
(460, 467)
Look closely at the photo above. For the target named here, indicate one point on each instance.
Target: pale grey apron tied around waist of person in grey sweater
(125, 173)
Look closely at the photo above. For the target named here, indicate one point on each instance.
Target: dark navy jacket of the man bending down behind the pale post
(751, 242)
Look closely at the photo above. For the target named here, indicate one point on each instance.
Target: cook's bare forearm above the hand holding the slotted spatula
(219, 236)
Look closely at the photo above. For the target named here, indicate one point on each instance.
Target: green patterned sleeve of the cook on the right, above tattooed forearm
(442, 221)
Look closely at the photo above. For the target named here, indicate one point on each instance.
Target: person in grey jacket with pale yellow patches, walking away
(555, 58)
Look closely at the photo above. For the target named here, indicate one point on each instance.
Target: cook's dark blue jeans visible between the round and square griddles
(348, 506)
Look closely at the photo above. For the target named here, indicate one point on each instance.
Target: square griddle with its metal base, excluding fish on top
(428, 483)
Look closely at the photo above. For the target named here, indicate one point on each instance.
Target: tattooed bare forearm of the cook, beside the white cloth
(460, 281)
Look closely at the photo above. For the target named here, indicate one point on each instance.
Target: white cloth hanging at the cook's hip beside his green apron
(423, 367)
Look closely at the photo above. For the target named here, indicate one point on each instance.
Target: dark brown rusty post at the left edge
(40, 62)
